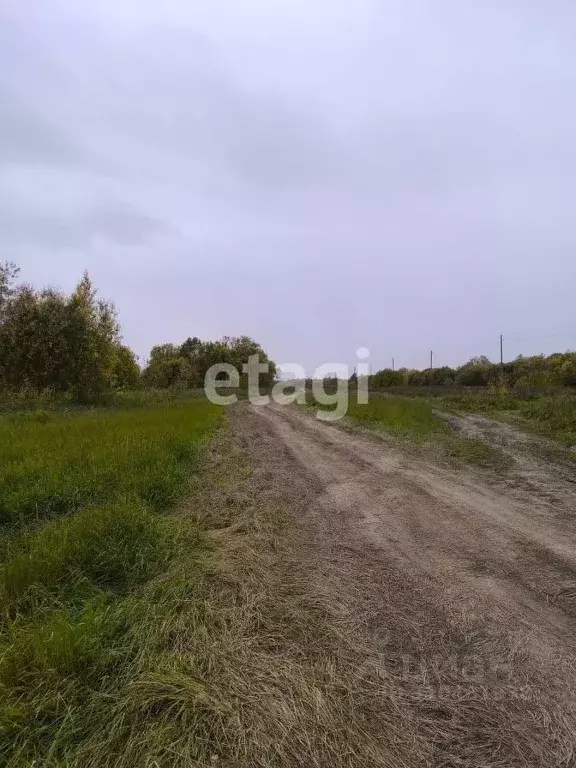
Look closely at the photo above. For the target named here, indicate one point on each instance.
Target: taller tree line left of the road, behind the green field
(72, 343)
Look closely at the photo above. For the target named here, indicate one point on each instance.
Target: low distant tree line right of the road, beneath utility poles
(533, 372)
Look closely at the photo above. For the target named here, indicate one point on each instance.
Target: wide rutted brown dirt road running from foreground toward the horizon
(458, 593)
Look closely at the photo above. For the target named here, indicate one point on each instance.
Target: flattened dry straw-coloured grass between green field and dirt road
(246, 670)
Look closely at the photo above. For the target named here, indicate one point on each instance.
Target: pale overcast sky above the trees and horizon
(322, 175)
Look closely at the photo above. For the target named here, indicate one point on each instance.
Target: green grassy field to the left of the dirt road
(85, 555)
